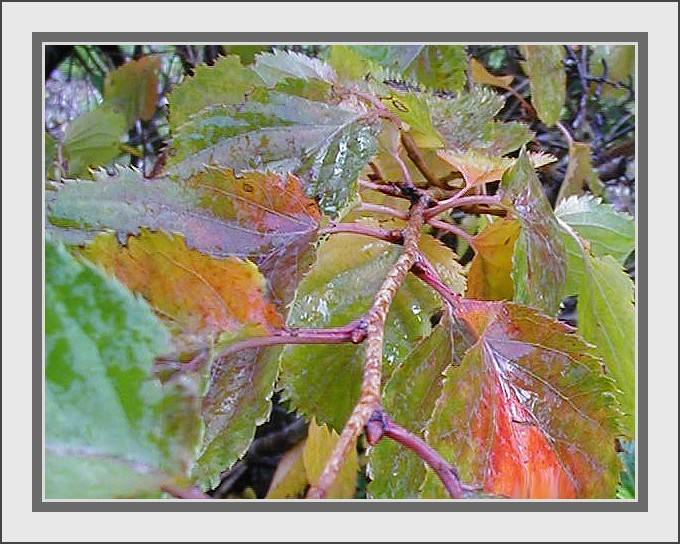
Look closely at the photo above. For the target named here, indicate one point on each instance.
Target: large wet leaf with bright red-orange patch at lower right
(529, 413)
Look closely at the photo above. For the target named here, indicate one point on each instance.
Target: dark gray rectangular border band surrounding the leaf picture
(639, 505)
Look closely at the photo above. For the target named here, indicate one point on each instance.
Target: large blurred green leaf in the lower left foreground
(106, 418)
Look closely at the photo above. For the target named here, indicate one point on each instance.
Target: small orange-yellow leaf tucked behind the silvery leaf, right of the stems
(490, 277)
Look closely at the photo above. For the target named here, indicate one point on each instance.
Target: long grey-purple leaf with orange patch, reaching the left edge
(262, 216)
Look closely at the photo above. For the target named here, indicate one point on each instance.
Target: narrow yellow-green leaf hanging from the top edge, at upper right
(547, 79)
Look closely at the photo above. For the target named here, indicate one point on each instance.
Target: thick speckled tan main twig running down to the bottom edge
(369, 400)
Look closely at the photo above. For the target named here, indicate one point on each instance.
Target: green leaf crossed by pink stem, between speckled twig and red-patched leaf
(409, 397)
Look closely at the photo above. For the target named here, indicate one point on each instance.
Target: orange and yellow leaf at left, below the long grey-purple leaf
(200, 297)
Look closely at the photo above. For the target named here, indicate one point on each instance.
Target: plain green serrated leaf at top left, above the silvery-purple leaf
(226, 82)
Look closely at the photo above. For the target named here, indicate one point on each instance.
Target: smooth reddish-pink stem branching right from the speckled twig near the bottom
(381, 425)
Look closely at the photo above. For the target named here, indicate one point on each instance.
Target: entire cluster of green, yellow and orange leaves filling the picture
(157, 287)
